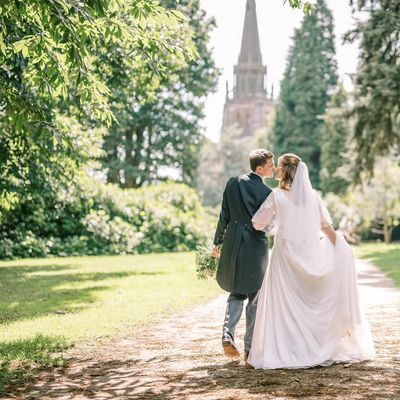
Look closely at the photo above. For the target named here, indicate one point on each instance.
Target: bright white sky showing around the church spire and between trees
(276, 23)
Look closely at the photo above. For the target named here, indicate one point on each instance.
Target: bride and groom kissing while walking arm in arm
(303, 307)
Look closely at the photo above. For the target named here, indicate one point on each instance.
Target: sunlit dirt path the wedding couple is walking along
(181, 358)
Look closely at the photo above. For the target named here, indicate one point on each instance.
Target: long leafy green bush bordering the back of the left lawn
(90, 218)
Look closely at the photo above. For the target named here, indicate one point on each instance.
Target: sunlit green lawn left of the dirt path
(47, 305)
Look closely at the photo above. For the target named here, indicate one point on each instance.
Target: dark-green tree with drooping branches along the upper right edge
(377, 82)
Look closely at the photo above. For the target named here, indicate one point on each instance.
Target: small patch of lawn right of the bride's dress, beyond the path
(385, 256)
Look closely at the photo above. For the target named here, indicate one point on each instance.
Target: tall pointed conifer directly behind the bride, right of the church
(309, 79)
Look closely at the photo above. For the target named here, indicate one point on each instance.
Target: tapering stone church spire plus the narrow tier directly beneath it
(249, 71)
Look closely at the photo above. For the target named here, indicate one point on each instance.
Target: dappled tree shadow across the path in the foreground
(115, 380)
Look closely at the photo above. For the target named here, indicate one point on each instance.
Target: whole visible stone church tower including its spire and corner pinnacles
(248, 104)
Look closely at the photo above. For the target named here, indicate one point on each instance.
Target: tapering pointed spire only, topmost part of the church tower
(250, 51)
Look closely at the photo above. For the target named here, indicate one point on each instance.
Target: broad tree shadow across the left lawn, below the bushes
(29, 292)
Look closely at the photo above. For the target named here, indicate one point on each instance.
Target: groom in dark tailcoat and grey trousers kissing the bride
(244, 254)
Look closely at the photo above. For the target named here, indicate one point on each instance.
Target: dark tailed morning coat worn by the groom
(244, 253)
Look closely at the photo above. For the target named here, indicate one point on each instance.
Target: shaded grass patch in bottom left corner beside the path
(20, 359)
